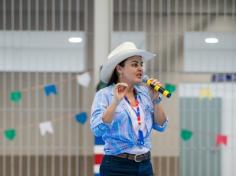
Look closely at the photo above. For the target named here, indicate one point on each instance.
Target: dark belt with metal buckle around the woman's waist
(136, 157)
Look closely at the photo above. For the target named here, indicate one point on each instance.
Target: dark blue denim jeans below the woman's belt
(116, 166)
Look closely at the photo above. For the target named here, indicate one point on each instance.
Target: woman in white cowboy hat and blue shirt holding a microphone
(125, 112)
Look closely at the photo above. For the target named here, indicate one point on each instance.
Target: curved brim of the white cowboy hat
(108, 68)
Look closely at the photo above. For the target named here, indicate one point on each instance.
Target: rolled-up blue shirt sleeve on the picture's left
(100, 103)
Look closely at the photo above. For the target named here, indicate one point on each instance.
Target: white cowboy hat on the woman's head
(120, 53)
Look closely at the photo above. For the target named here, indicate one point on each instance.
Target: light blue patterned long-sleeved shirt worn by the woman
(119, 134)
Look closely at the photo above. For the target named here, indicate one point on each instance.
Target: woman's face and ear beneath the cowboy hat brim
(132, 71)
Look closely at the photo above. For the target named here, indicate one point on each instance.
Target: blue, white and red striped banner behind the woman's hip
(98, 154)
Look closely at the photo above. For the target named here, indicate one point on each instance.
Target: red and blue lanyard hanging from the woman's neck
(137, 113)
